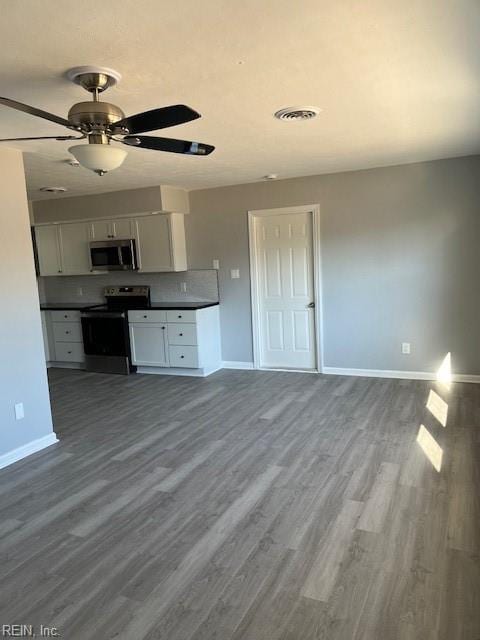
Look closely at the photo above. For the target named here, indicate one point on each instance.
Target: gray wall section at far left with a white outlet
(22, 374)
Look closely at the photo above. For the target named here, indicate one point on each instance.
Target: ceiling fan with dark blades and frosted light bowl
(103, 122)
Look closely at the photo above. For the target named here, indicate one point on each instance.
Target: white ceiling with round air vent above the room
(397, 82)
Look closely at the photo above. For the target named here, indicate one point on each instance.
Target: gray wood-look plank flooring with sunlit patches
(248, 506)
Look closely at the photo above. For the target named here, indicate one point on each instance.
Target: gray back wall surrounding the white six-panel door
(399, 251)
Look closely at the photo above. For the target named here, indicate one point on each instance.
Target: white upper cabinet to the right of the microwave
(161, 243)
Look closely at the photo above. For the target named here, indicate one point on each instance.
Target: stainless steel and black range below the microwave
(105, 329)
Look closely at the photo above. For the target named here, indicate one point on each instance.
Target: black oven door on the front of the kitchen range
(106, 342)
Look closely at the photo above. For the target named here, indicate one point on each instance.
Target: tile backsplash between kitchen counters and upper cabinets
(164, 287)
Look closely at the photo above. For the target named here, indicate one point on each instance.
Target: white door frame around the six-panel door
(314, 210)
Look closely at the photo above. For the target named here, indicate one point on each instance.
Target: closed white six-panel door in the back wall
(285, 290)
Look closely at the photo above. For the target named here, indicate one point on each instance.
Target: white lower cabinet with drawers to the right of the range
(176, 341)
